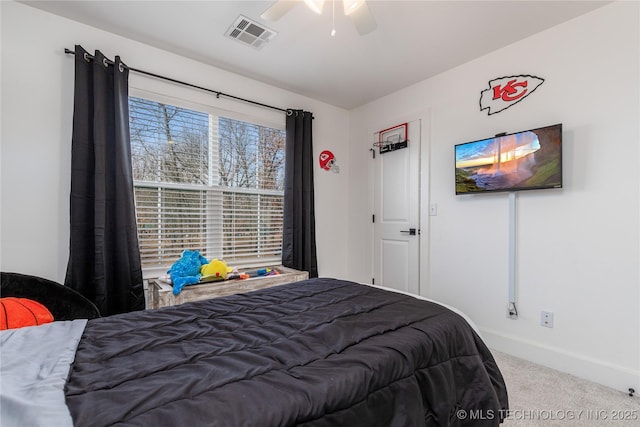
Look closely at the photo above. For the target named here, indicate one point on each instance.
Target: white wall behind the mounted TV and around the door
(578, 247)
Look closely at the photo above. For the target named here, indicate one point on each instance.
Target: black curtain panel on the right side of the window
(299, 224)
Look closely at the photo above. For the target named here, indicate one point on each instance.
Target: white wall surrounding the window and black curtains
(37, 111)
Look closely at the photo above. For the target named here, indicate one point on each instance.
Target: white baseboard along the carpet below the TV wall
(616, 377)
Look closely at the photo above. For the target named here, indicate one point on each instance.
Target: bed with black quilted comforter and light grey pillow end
(322, 352)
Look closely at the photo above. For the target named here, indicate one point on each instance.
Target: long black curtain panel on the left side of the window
(104, 257)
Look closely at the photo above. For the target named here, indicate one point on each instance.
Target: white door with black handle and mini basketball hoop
(396, 221)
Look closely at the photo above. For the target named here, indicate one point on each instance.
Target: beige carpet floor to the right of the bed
(539, 396)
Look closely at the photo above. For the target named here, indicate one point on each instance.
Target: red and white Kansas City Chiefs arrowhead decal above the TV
(504, 92)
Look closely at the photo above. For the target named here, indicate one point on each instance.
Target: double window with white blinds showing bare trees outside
(205, 182)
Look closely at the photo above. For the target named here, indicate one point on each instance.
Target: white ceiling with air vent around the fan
(414, 40)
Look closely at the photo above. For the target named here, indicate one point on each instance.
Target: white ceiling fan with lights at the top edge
(356, 10)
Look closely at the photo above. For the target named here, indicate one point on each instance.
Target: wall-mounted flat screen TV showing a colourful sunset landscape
(527, 160)
